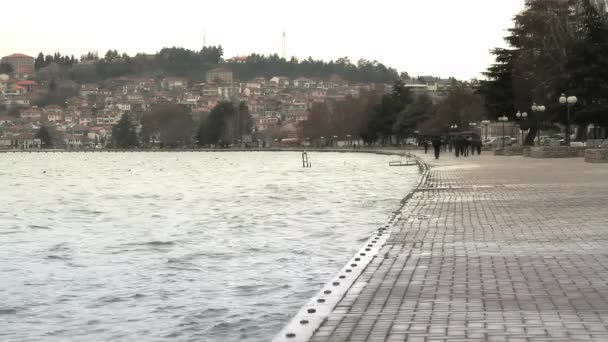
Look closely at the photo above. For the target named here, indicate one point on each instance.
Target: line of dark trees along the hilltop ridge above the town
(193, 64)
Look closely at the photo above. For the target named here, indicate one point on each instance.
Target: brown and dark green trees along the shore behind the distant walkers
(376, 117)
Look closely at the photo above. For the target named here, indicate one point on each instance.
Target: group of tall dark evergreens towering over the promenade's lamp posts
(555, 47)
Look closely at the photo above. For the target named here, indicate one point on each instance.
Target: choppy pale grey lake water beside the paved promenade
(179, 246)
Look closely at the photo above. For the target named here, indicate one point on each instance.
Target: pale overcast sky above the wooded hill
(423, 37)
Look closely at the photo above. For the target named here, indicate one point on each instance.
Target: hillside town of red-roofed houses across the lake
(277, 104)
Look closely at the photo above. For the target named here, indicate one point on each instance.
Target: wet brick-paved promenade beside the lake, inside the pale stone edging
(488, 249)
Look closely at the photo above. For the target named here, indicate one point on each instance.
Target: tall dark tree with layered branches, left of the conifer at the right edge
(533, 68)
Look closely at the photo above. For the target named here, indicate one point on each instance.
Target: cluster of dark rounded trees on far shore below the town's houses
(172, 126)
